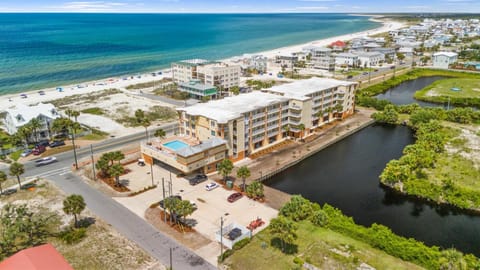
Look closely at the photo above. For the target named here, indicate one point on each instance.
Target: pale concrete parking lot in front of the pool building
(212, 205)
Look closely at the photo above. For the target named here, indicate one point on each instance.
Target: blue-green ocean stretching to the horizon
(48, 50)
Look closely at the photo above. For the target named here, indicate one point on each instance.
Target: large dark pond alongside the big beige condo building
(345, 175)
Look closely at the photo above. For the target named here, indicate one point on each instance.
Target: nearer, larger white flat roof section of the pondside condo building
(230, 108)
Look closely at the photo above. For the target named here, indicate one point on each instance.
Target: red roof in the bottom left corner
(44, 257)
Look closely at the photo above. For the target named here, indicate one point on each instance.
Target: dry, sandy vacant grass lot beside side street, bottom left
(102, 248)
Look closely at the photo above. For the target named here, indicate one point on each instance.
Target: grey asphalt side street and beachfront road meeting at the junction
(127, 223)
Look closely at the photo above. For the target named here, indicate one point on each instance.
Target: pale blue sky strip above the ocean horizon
(241, 6)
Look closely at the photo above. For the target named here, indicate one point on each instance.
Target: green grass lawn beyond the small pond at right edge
(470, 88)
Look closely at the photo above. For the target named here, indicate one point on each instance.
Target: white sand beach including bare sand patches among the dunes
(131, 97)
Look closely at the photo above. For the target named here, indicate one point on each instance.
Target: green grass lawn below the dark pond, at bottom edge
(321, 247)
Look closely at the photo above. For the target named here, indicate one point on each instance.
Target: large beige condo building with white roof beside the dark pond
(253, 121)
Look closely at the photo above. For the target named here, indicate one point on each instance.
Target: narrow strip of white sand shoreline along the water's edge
(51, 93)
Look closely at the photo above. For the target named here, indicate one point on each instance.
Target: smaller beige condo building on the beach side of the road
(218, 74)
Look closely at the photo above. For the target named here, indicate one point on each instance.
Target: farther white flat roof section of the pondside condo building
(301, 89)
